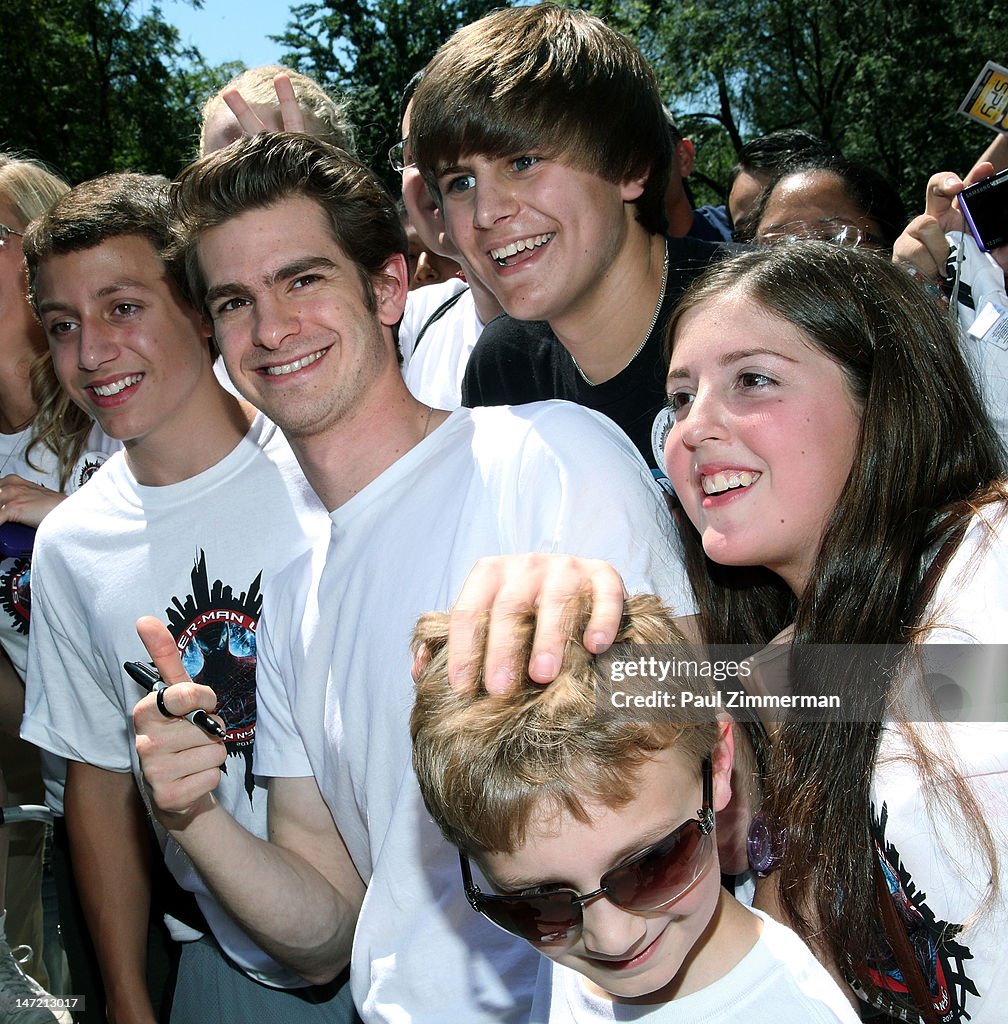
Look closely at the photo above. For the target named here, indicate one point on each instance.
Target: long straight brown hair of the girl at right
(928, 458)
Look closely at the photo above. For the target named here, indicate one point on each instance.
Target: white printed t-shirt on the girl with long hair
(934, 867)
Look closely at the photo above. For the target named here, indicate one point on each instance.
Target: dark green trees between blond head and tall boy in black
(368, 51)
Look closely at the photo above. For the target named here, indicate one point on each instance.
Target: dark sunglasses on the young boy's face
(651, 880)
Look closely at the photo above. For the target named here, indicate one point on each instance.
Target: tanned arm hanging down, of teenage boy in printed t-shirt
(107, 825)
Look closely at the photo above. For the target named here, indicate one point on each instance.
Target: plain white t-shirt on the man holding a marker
(335, 691)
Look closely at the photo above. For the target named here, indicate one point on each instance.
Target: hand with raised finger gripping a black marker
(181, 763)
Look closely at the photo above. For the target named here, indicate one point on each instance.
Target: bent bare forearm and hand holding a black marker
(298, 895)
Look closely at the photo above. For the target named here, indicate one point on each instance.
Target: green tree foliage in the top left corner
(100, 86)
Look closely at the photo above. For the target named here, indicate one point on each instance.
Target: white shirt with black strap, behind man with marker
(435, 365)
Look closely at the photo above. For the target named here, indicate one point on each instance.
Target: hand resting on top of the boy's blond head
(506, 586)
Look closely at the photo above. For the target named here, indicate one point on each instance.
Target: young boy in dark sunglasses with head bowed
(596, 829)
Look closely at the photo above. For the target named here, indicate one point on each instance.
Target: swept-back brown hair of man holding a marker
(262, 170)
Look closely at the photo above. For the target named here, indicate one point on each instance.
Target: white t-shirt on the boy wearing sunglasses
(779, 982)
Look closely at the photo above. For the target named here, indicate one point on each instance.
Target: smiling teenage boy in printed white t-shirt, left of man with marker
(165, 526)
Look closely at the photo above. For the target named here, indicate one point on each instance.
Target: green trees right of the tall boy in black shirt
(880, 79)
